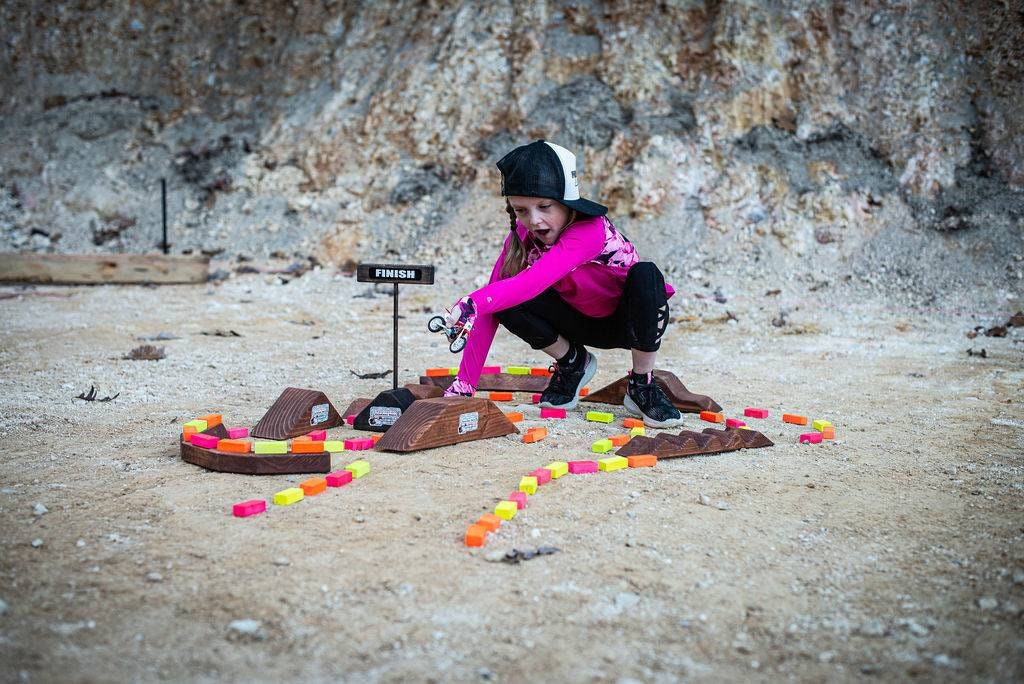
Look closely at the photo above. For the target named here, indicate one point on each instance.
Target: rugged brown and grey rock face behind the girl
(873, 137)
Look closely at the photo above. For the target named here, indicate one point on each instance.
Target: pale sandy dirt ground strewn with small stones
(894, 551)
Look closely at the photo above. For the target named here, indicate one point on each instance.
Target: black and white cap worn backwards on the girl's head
(543, 169)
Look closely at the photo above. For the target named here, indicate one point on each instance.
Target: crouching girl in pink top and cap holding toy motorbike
(566, 280)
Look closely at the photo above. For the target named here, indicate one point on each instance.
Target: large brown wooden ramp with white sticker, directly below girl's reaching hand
(440, 422)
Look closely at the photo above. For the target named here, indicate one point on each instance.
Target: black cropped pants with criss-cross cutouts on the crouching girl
(638, 322)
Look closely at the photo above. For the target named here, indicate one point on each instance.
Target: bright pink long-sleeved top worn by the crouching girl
(587, 266)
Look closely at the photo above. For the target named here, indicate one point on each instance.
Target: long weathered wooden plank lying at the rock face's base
(101, 269)
